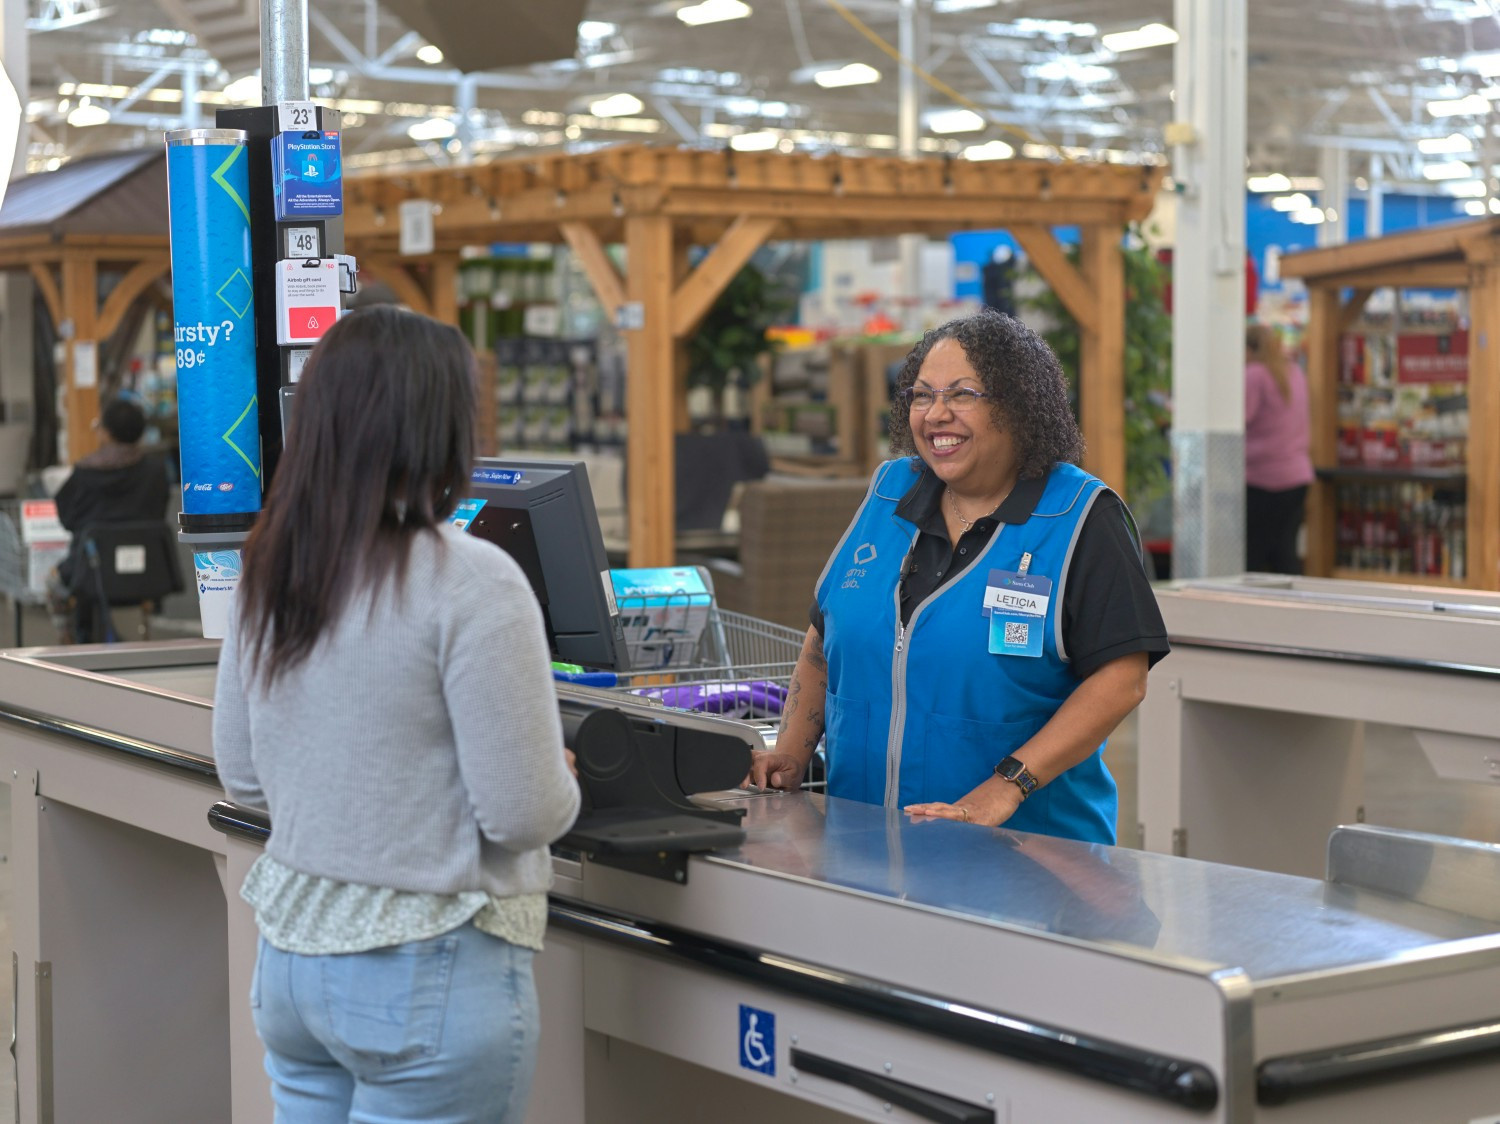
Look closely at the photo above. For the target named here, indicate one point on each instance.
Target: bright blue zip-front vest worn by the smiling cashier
(931, 723)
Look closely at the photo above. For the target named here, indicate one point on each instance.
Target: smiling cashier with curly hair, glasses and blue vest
(986, 621)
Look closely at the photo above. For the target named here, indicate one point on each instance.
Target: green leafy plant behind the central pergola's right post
(1148, 368)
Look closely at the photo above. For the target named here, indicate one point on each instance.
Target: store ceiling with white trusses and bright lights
(1355, 74)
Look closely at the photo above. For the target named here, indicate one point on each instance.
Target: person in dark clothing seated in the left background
(119, 482)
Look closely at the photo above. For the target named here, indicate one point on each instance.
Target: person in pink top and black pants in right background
(1277, 464)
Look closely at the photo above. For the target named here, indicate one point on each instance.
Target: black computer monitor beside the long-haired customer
(542, 515)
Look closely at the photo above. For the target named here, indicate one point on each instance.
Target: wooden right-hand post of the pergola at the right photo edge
(1483, 562)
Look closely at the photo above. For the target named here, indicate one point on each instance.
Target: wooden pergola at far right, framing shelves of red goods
(1340, 280)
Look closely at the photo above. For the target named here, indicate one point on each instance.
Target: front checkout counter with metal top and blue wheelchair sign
(841, 963)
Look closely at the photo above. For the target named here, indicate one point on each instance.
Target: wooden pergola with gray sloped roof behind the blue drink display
(89, 274)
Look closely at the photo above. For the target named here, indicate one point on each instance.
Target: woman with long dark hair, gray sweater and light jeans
(385, 691)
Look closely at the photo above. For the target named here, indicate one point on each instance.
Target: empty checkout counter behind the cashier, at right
(1252, 735)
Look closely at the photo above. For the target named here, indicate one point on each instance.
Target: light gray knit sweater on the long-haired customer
(419, 747)
